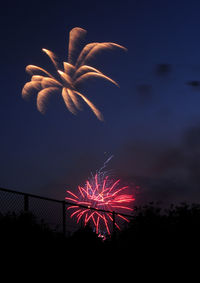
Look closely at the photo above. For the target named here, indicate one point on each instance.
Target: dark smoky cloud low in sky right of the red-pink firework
(165, 173)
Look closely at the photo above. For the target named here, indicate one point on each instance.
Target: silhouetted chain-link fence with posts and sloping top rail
(55, 213)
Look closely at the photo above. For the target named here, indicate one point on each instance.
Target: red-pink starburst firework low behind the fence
(96, 201)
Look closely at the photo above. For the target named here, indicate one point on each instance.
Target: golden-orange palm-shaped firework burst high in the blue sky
(74, 71)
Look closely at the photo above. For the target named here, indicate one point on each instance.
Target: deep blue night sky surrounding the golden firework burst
(152, 122)
